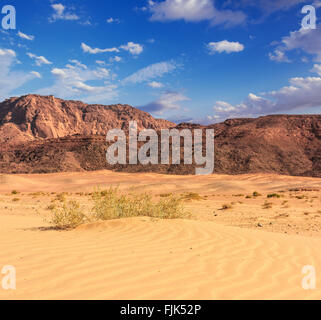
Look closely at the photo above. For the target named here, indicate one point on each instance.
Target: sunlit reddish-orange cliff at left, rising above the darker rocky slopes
(35, 117)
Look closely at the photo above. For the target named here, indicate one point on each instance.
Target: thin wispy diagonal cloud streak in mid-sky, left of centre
(151, 72)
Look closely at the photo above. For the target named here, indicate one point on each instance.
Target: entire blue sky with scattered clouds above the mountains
(183, 60)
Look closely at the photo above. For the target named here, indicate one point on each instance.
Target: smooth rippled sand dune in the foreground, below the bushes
(143, 259)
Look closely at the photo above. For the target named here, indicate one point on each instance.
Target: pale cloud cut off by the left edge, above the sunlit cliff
(11, 80)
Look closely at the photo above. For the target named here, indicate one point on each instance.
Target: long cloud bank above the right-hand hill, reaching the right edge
(299, 94)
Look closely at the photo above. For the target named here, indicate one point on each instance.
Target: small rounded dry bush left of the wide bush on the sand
(67, 215)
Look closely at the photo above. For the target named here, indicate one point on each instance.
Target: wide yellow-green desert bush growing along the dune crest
(112, 204)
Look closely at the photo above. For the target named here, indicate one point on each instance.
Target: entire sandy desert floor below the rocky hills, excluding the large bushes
(245, 252)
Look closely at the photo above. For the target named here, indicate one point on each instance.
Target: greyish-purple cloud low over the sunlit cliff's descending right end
(168, 101)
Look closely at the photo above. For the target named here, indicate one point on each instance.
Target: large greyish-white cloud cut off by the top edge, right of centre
(194, 11)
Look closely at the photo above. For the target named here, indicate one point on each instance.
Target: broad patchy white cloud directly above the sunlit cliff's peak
(72, 82)
